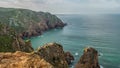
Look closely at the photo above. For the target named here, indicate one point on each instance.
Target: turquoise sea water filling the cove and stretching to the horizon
(99, 31)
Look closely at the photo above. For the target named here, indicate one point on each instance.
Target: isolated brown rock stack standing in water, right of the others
(89, 59)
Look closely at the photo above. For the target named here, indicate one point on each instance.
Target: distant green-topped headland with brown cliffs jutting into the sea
(29, 23)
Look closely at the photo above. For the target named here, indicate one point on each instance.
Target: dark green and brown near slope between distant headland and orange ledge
(11, 42)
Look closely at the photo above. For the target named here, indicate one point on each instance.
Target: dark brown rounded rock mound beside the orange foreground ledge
(54, 54)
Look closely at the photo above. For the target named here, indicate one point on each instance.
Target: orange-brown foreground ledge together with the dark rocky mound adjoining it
(50, 55)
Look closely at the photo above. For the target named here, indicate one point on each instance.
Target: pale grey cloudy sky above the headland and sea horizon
(65, 6)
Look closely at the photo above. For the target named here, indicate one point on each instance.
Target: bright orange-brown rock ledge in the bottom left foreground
(23, 60)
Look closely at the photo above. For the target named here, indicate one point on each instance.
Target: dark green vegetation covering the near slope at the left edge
(6, 39)
